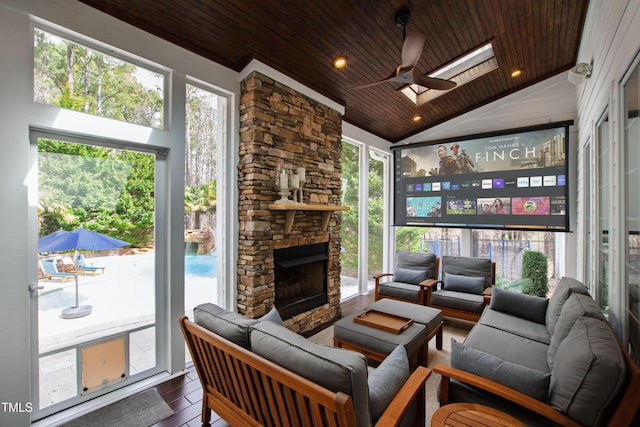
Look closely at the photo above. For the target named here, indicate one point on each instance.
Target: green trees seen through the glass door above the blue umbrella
(103, 189)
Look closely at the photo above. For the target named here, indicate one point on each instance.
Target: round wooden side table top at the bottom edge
(471, 414)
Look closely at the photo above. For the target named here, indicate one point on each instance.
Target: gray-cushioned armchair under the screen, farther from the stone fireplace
(465, 288)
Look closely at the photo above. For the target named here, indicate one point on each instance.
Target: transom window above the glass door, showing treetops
(70, 75)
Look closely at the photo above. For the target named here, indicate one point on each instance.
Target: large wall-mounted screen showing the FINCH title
(514, 179)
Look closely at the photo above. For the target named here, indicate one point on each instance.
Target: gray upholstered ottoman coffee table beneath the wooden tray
(377, 342)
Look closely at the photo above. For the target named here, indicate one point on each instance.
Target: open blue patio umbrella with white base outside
(78, 239)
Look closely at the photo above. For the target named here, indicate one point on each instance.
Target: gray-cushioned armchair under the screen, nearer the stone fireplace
(411, 274)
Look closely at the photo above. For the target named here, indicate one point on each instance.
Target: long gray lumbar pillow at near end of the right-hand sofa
(529, 381)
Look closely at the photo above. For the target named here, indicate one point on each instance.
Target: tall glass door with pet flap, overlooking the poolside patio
(95, 304)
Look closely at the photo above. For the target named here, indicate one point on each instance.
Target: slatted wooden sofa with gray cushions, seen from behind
(247, 389)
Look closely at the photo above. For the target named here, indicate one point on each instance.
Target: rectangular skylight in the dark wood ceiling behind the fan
(462, 70)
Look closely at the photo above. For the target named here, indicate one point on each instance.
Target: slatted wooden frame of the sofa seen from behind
(246, 389)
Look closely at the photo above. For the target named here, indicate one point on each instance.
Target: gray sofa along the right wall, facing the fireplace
(544, 359)
